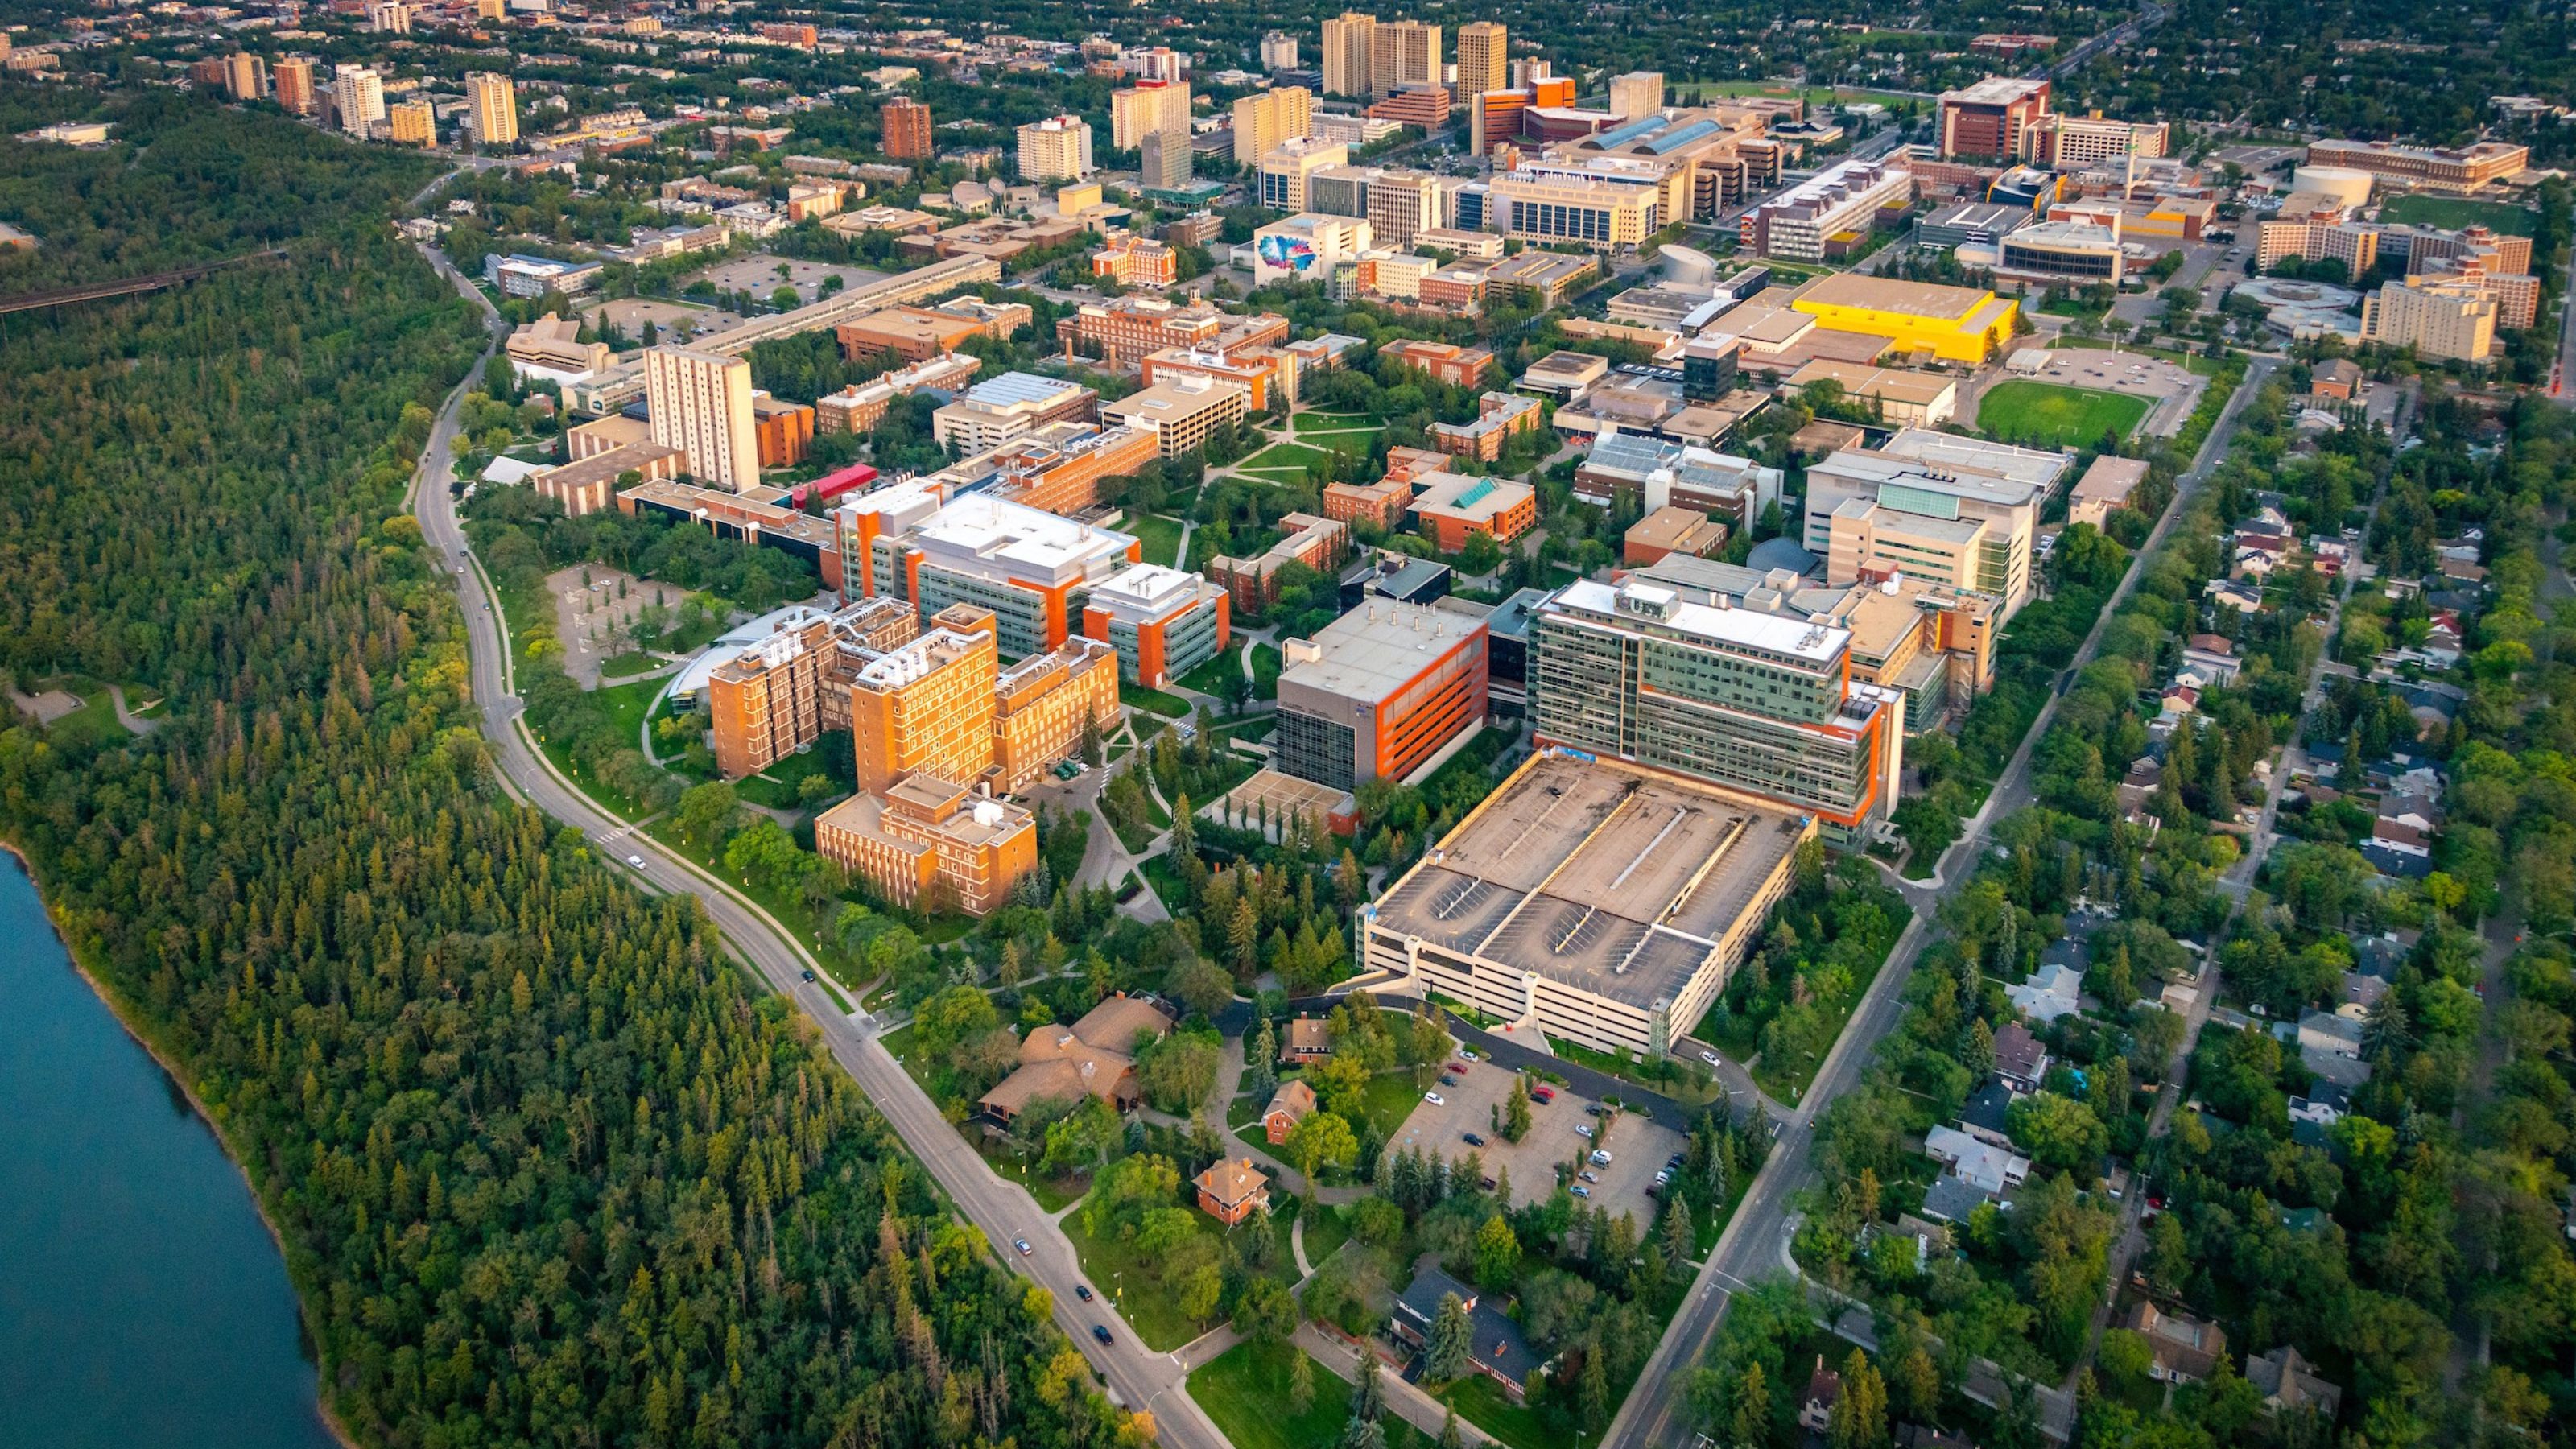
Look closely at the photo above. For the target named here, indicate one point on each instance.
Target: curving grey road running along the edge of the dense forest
(1137, 1378)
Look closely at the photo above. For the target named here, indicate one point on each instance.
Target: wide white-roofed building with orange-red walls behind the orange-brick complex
(1027, 566)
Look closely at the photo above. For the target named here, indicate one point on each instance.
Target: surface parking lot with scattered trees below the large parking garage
(1475, 1102)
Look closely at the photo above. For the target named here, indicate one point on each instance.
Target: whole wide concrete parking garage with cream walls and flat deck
(1593, 901)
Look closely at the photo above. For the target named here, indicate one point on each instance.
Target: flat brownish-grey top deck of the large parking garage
(1596, 875)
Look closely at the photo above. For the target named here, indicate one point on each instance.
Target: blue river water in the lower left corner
(143, 1303)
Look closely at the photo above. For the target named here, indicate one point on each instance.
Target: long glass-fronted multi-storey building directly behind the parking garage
(1748, 700)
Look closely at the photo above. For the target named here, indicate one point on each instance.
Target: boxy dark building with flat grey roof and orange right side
(1379, 692)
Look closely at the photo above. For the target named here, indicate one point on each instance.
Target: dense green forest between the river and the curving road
(545, 1167)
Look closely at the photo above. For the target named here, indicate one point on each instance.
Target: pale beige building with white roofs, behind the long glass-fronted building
(1931, 507)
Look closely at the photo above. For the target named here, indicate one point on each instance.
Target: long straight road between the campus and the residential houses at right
(1756, 1239)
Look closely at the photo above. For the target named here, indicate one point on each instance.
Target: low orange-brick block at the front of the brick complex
(931, 844)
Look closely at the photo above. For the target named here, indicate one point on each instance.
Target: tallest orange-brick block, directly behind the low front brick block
(929, 705)
